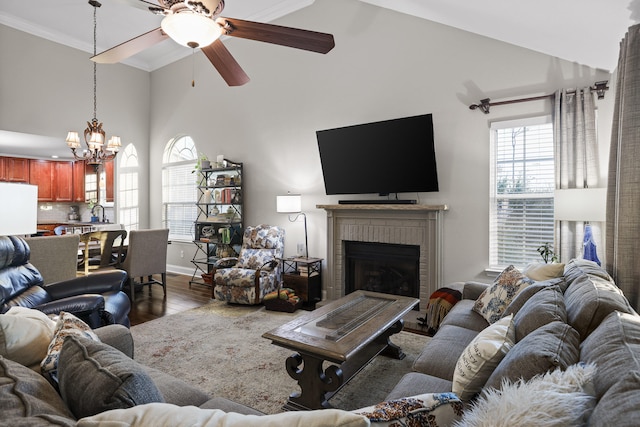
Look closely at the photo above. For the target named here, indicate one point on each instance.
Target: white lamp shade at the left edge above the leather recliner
(19, 212)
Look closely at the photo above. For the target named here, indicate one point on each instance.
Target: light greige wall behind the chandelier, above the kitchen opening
(47, 89)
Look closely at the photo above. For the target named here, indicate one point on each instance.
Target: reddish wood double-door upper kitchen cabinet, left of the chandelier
(53, 178)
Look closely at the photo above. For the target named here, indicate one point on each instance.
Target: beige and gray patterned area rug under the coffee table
(219, 348)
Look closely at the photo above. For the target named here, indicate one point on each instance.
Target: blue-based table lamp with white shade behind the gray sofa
(582, 204)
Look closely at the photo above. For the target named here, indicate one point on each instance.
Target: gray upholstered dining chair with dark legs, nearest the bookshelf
(146, 257)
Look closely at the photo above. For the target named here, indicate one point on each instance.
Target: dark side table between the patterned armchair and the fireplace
(304, 276)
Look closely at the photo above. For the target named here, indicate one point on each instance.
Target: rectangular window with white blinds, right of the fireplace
(522, 185)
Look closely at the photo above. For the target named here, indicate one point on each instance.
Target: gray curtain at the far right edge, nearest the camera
(623, 191)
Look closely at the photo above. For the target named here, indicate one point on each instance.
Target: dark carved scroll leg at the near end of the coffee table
(313, 381)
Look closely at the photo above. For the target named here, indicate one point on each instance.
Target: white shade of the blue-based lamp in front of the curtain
(580, 204)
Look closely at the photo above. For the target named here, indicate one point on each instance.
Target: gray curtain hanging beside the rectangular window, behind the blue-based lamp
(577, 166)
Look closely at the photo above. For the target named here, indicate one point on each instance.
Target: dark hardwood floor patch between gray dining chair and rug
(152, 305)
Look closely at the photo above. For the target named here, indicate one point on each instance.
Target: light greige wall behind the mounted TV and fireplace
(385, 65)
